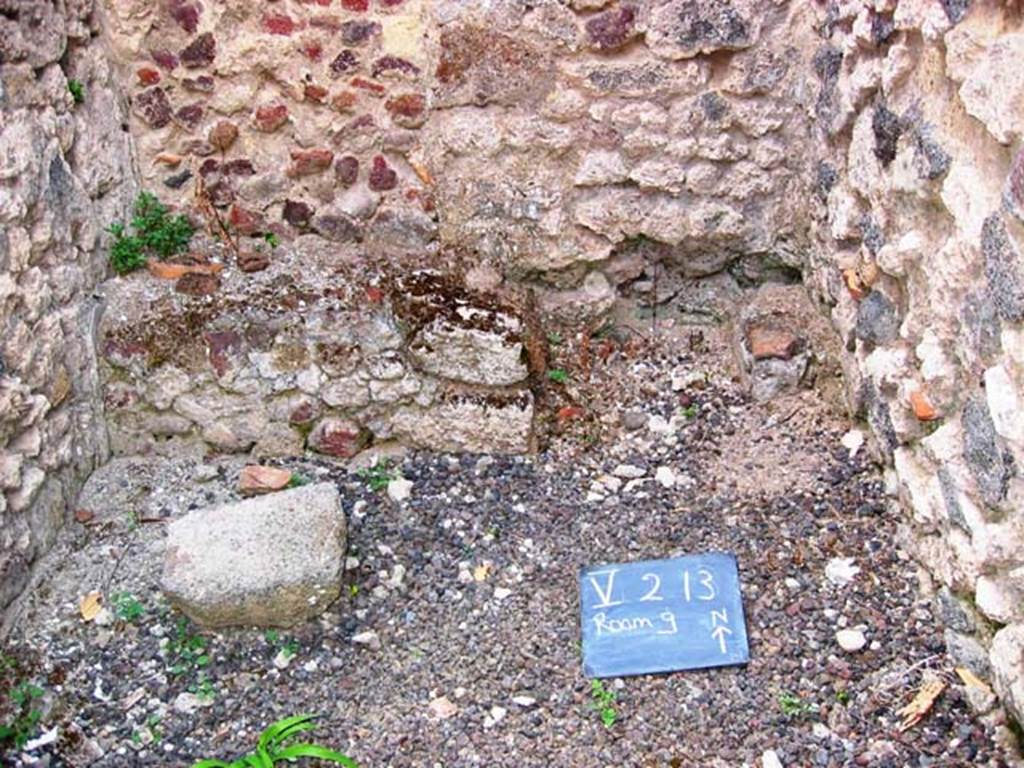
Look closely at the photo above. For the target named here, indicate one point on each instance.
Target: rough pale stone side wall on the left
(65, 170)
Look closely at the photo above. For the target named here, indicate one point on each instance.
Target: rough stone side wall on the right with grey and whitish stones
(919, 231)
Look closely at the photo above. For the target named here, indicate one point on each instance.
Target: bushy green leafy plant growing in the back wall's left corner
(154, 233)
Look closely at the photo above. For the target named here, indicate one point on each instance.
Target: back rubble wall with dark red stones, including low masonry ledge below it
(548, 153)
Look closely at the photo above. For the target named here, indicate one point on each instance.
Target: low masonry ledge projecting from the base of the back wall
(298, 358)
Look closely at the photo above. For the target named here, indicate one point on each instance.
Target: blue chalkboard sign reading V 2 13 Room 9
(662, 616)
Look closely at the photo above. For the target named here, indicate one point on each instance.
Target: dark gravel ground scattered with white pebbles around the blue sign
(468, 589)
